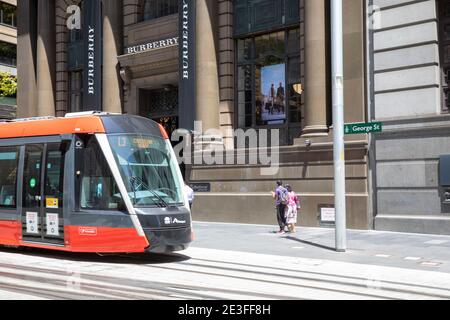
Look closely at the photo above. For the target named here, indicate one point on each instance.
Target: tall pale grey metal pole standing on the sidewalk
(337, 58)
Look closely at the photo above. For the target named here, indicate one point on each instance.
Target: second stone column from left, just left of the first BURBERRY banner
(46, 58)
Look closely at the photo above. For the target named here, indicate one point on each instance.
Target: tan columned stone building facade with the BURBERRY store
(260, 64)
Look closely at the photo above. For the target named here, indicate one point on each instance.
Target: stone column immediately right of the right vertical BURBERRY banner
(207, 86)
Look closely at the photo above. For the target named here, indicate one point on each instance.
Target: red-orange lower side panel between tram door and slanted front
(102, 239)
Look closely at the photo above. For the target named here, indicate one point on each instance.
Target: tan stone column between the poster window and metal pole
(316, 75)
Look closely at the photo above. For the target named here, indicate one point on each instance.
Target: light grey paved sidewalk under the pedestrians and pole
(401, 250)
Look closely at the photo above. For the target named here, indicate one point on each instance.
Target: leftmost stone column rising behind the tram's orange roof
(26, 67)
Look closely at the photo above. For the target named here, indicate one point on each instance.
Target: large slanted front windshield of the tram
(148, 170)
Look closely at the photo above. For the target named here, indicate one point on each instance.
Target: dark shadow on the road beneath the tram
(135, 258)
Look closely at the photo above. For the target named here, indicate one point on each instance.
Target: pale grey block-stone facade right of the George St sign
(409, 73)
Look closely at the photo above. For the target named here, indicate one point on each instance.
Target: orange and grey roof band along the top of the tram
(78, 124)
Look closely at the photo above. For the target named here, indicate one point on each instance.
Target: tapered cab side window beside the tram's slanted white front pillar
(99, 189)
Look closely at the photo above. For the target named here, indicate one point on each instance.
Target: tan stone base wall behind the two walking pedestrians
(242, 194)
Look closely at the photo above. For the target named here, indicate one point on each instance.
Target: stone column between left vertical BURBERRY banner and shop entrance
(112, 48)
